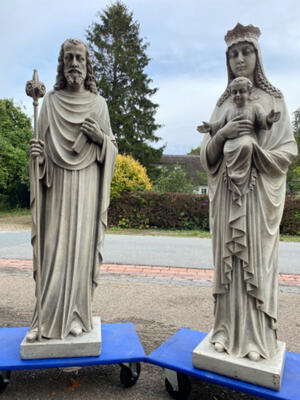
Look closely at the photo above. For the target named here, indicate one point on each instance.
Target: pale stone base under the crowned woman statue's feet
(266, 373)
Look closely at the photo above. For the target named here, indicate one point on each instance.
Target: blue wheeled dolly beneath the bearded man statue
(120, 345)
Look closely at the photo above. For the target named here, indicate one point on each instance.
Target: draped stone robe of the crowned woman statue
(246, 236)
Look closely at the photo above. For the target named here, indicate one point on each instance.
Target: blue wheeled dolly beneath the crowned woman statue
(175, 356)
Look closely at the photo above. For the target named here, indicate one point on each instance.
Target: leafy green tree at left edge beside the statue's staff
(15, 134)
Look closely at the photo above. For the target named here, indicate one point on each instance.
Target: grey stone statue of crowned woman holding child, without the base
(246, 157)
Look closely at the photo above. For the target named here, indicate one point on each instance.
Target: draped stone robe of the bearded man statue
(74, 198)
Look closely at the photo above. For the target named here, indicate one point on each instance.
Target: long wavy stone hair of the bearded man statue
(61, 82)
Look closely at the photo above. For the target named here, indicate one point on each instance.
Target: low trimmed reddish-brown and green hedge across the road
(180, 211)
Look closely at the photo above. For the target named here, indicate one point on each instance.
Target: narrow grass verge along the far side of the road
(15, 220)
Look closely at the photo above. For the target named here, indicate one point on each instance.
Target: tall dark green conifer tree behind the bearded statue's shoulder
(119, 56)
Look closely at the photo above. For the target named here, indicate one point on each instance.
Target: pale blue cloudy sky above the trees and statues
(186, 47)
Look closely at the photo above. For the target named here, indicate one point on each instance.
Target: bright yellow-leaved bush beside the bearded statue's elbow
(129, 176)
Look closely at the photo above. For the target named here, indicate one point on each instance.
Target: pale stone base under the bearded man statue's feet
(86, 345)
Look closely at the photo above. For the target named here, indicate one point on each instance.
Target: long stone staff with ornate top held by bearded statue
(37, 89)
